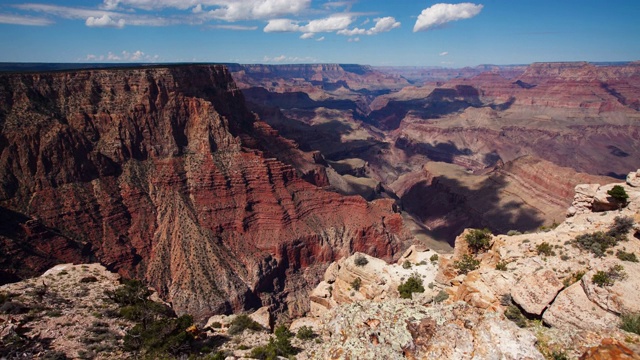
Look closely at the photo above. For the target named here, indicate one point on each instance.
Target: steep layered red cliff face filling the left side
(162, 173)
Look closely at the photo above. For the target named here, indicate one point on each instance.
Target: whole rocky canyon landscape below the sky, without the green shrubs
(256, 189)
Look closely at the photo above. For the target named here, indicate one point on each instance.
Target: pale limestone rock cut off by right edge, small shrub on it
(623, 296)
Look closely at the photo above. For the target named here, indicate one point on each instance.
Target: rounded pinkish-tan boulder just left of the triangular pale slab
(535, 291)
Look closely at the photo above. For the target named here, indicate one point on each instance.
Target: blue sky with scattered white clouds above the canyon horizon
(375, 32)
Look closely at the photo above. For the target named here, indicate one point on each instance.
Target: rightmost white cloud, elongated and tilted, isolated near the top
(440, 14)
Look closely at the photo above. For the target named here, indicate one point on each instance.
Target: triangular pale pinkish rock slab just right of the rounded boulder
(573, 309)
